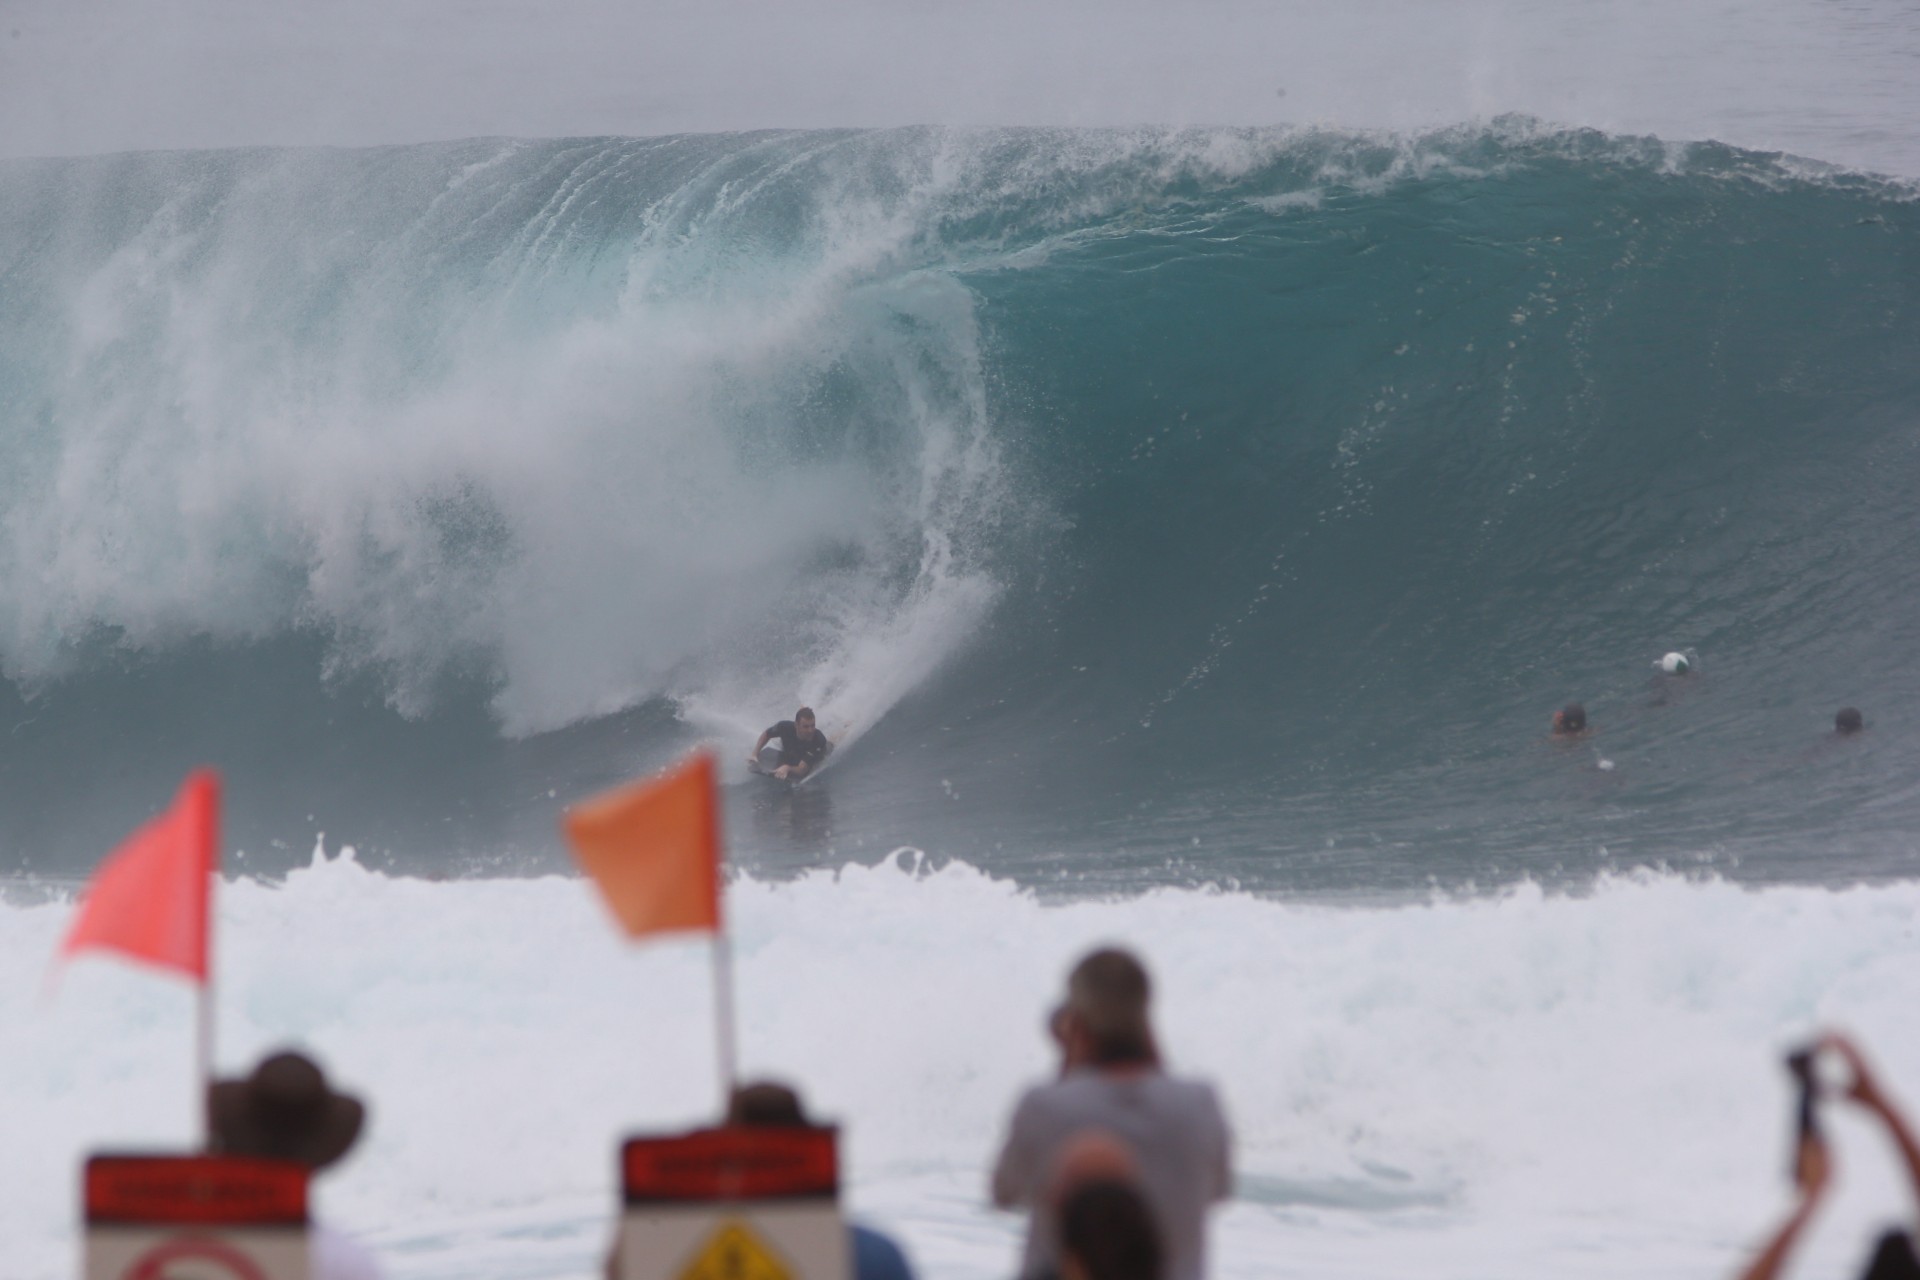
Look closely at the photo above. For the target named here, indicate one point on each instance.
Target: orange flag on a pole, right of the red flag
(654, 849)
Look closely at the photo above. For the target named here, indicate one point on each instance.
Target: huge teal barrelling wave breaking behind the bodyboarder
(1224, 502)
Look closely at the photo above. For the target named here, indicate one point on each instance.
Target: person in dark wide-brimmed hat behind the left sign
(287, 1110)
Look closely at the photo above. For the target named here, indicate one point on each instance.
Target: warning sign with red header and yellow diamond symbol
(732, 1204)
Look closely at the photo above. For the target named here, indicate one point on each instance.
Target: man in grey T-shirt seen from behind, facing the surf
(1113, 1083)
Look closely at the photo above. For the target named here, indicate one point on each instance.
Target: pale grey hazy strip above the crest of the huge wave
(1827, 78)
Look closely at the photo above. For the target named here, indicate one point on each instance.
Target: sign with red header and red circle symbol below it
(195, 1218)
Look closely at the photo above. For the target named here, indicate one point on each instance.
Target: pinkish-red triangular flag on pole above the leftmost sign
(151, 897)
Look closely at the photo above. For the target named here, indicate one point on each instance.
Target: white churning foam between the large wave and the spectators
(1500, 1087)
